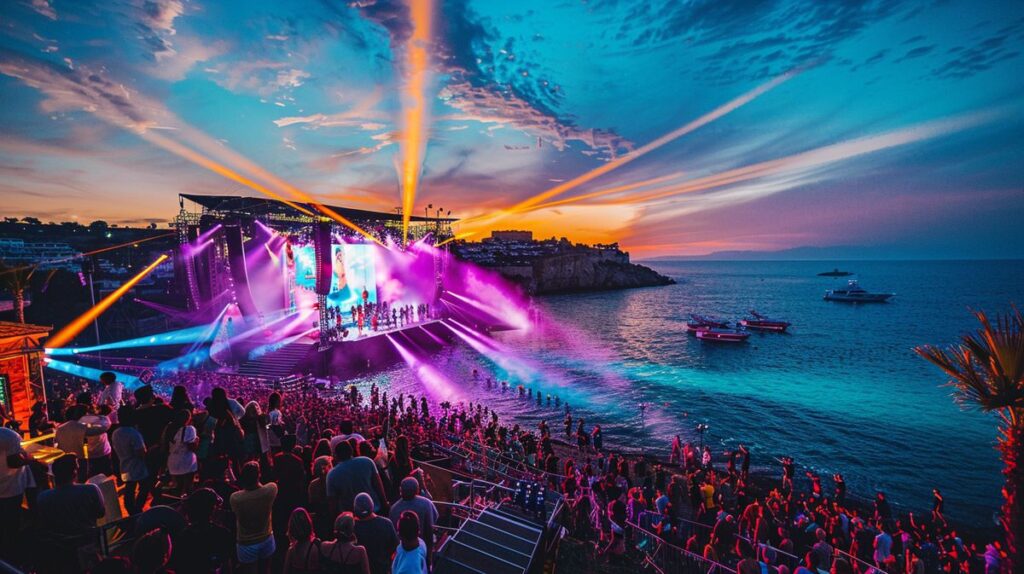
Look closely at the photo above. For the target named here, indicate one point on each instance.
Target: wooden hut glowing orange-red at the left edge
(22, 369)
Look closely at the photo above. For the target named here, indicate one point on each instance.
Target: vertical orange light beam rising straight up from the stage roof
(415, 109)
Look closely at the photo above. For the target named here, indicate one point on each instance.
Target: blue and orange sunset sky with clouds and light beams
(712, 125)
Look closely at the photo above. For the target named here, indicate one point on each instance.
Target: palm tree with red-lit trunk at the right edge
(987, 372)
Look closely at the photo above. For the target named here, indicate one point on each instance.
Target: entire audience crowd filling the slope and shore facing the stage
(220, 474)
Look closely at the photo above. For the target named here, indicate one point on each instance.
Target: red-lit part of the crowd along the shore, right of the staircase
(719, 512)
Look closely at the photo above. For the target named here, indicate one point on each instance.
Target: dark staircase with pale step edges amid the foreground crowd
(498, 542)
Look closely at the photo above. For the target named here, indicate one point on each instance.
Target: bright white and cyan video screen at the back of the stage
(353, 273)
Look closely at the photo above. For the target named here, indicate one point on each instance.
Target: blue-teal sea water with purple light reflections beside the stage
(842, 391)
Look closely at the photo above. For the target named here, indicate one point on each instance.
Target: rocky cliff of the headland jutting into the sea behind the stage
(582, 272)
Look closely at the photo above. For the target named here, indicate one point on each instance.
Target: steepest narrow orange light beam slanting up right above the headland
(648, 148)
